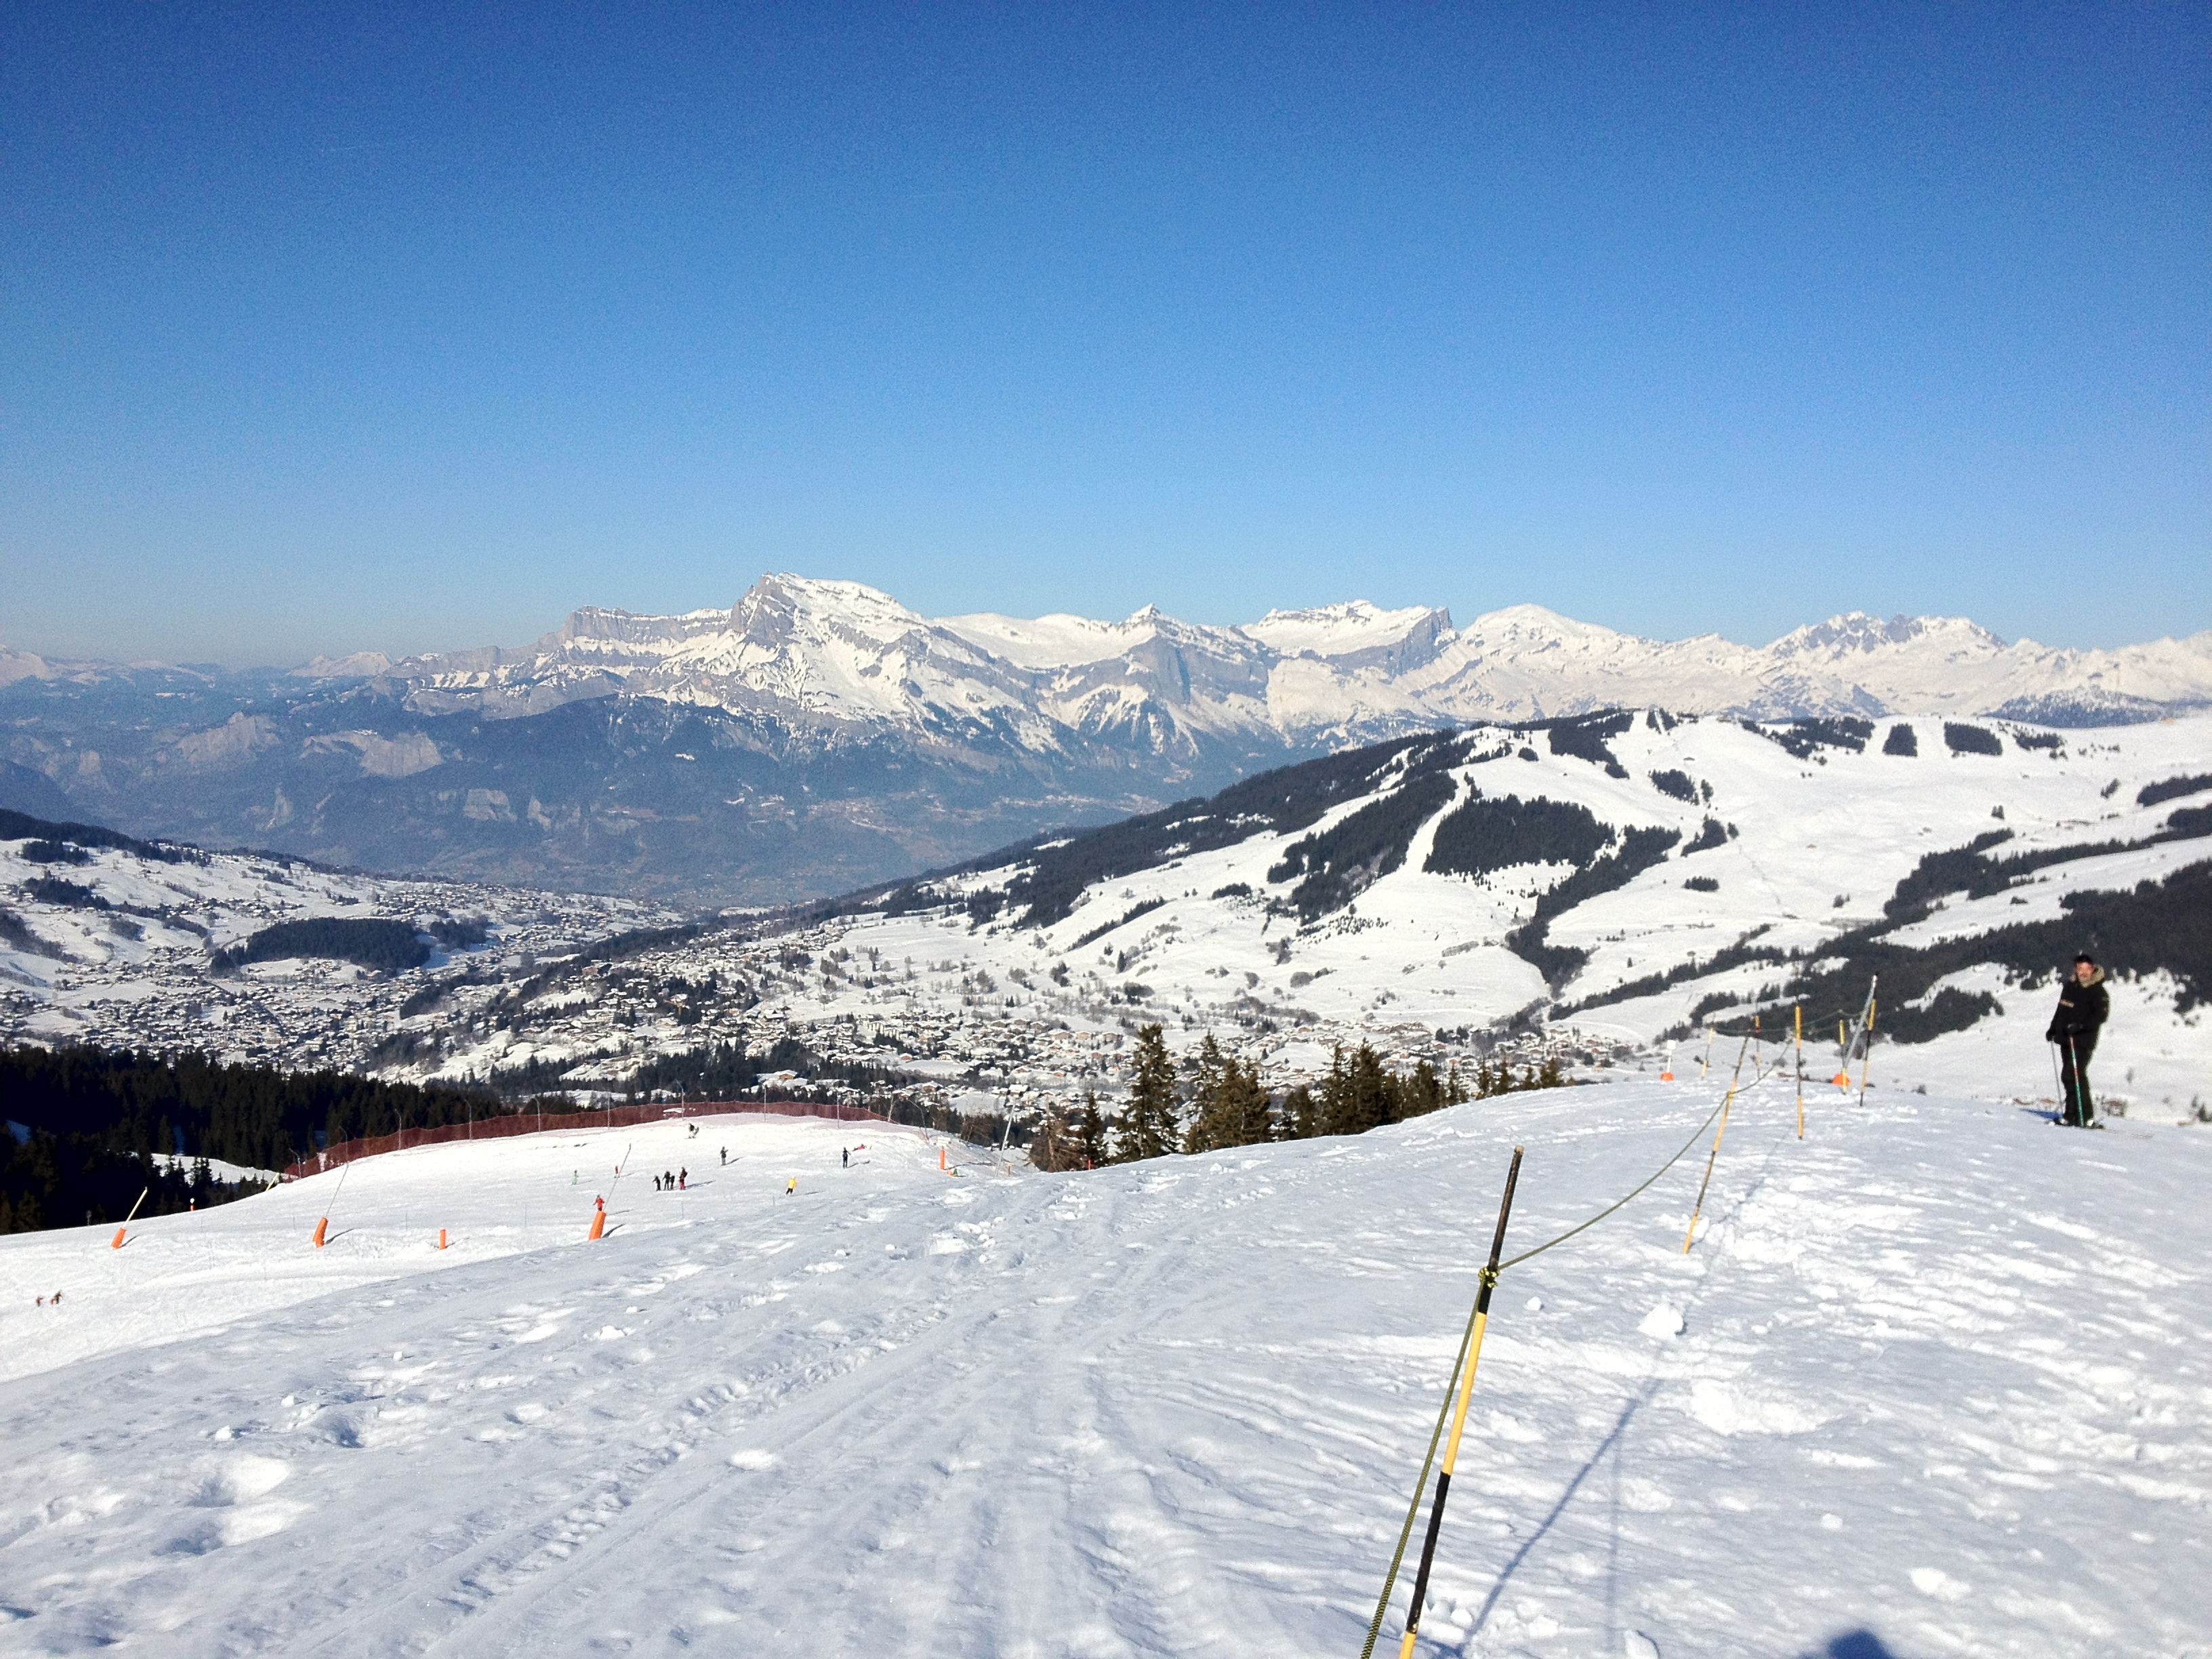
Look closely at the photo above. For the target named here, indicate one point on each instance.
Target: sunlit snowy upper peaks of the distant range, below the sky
(844, 651)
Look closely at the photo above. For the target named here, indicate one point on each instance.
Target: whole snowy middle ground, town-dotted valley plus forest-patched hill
(1605, 886)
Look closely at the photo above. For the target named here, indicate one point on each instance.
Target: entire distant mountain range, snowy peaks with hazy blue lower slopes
(820, 735)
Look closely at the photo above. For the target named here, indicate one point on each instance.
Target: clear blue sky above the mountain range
(417, 326)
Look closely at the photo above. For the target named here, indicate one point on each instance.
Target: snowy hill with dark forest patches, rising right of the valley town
(1492, 879)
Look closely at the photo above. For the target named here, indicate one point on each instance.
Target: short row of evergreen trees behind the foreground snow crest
(1224, 1103)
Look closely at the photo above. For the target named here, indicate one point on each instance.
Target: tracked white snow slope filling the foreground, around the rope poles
(1934, 1377)
